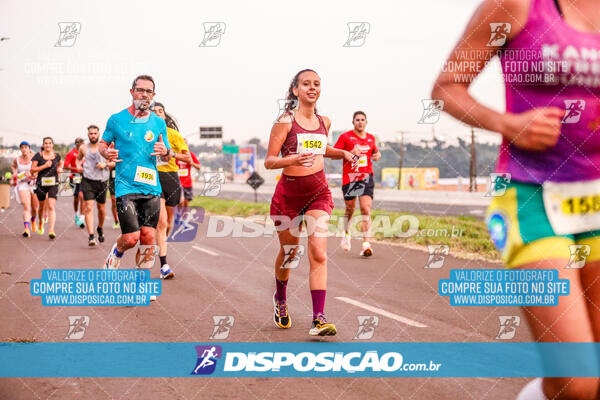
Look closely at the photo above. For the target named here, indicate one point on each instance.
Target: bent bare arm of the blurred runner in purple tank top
(535, 129)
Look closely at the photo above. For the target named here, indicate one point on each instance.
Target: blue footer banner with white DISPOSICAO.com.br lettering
(317, 359)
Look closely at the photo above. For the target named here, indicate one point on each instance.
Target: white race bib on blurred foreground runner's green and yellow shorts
(572, 207)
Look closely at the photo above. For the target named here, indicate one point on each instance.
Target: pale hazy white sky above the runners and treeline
(59, 91)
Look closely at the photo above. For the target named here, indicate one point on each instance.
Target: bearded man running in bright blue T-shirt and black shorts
(134, 138)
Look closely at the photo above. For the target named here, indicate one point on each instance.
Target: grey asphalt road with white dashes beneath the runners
(234, 276)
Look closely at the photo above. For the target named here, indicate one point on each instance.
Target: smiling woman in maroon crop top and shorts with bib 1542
(300, 135)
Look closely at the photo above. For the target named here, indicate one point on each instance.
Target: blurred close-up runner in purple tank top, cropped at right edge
(545, 213)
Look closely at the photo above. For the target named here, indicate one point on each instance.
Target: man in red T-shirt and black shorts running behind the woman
(358, 182)
